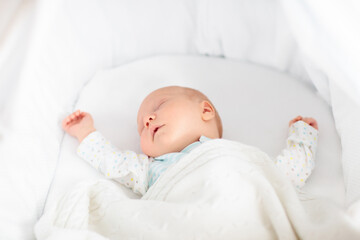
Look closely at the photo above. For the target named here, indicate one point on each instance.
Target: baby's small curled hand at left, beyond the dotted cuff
(78, 124)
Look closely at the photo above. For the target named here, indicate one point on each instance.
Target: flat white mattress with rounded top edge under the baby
(255, 104)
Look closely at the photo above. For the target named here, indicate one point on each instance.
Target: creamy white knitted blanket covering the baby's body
(221, 190)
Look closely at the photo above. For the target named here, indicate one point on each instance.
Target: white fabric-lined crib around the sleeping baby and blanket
(261, 62)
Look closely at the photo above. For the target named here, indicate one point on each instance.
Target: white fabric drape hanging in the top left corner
(16, 24)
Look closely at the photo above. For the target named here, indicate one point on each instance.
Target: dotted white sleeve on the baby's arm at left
(126, 167)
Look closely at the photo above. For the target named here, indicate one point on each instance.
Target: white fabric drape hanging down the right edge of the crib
(328, 36)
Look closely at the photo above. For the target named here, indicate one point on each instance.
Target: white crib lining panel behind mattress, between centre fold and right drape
(254, 31)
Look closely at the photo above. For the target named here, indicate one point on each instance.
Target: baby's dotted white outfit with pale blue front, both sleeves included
(132, 169)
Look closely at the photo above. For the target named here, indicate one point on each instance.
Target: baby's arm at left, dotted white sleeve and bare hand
(125, 167)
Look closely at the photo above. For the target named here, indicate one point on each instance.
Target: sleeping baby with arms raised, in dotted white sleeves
(171, 122)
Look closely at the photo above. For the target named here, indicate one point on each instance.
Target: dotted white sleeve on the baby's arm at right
(298, 159)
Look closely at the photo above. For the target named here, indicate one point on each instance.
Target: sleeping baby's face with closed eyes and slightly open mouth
(168, 121)
